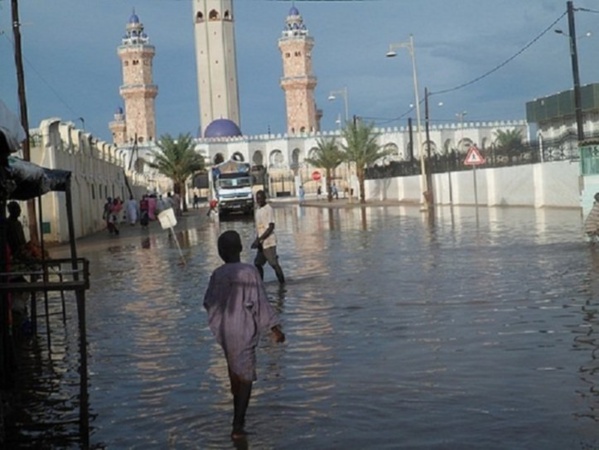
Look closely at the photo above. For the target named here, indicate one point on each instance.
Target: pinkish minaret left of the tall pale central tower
(138, 90)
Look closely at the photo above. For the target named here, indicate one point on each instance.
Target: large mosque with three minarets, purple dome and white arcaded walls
(282, 155)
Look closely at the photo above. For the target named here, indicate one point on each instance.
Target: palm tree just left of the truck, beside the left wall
(177, 160)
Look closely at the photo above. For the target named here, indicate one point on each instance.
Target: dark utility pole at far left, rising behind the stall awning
(16, 26)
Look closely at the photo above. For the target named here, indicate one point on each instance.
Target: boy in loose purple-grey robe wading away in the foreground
(238, 310)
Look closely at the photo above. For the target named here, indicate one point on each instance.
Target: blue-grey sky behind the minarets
(483, 58)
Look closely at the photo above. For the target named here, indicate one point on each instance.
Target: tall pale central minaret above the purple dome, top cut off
(214, 26)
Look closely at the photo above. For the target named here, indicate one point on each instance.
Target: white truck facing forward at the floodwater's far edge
(231, 187)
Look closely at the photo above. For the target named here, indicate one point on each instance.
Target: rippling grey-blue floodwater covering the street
(477, 331)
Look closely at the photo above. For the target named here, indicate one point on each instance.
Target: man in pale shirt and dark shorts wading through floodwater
(266, 240)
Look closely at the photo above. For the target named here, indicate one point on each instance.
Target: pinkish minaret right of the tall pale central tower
(298, 82)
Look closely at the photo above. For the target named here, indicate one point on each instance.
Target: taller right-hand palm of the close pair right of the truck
(361, 147)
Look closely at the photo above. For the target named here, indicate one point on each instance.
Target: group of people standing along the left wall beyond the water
(145, 210)
